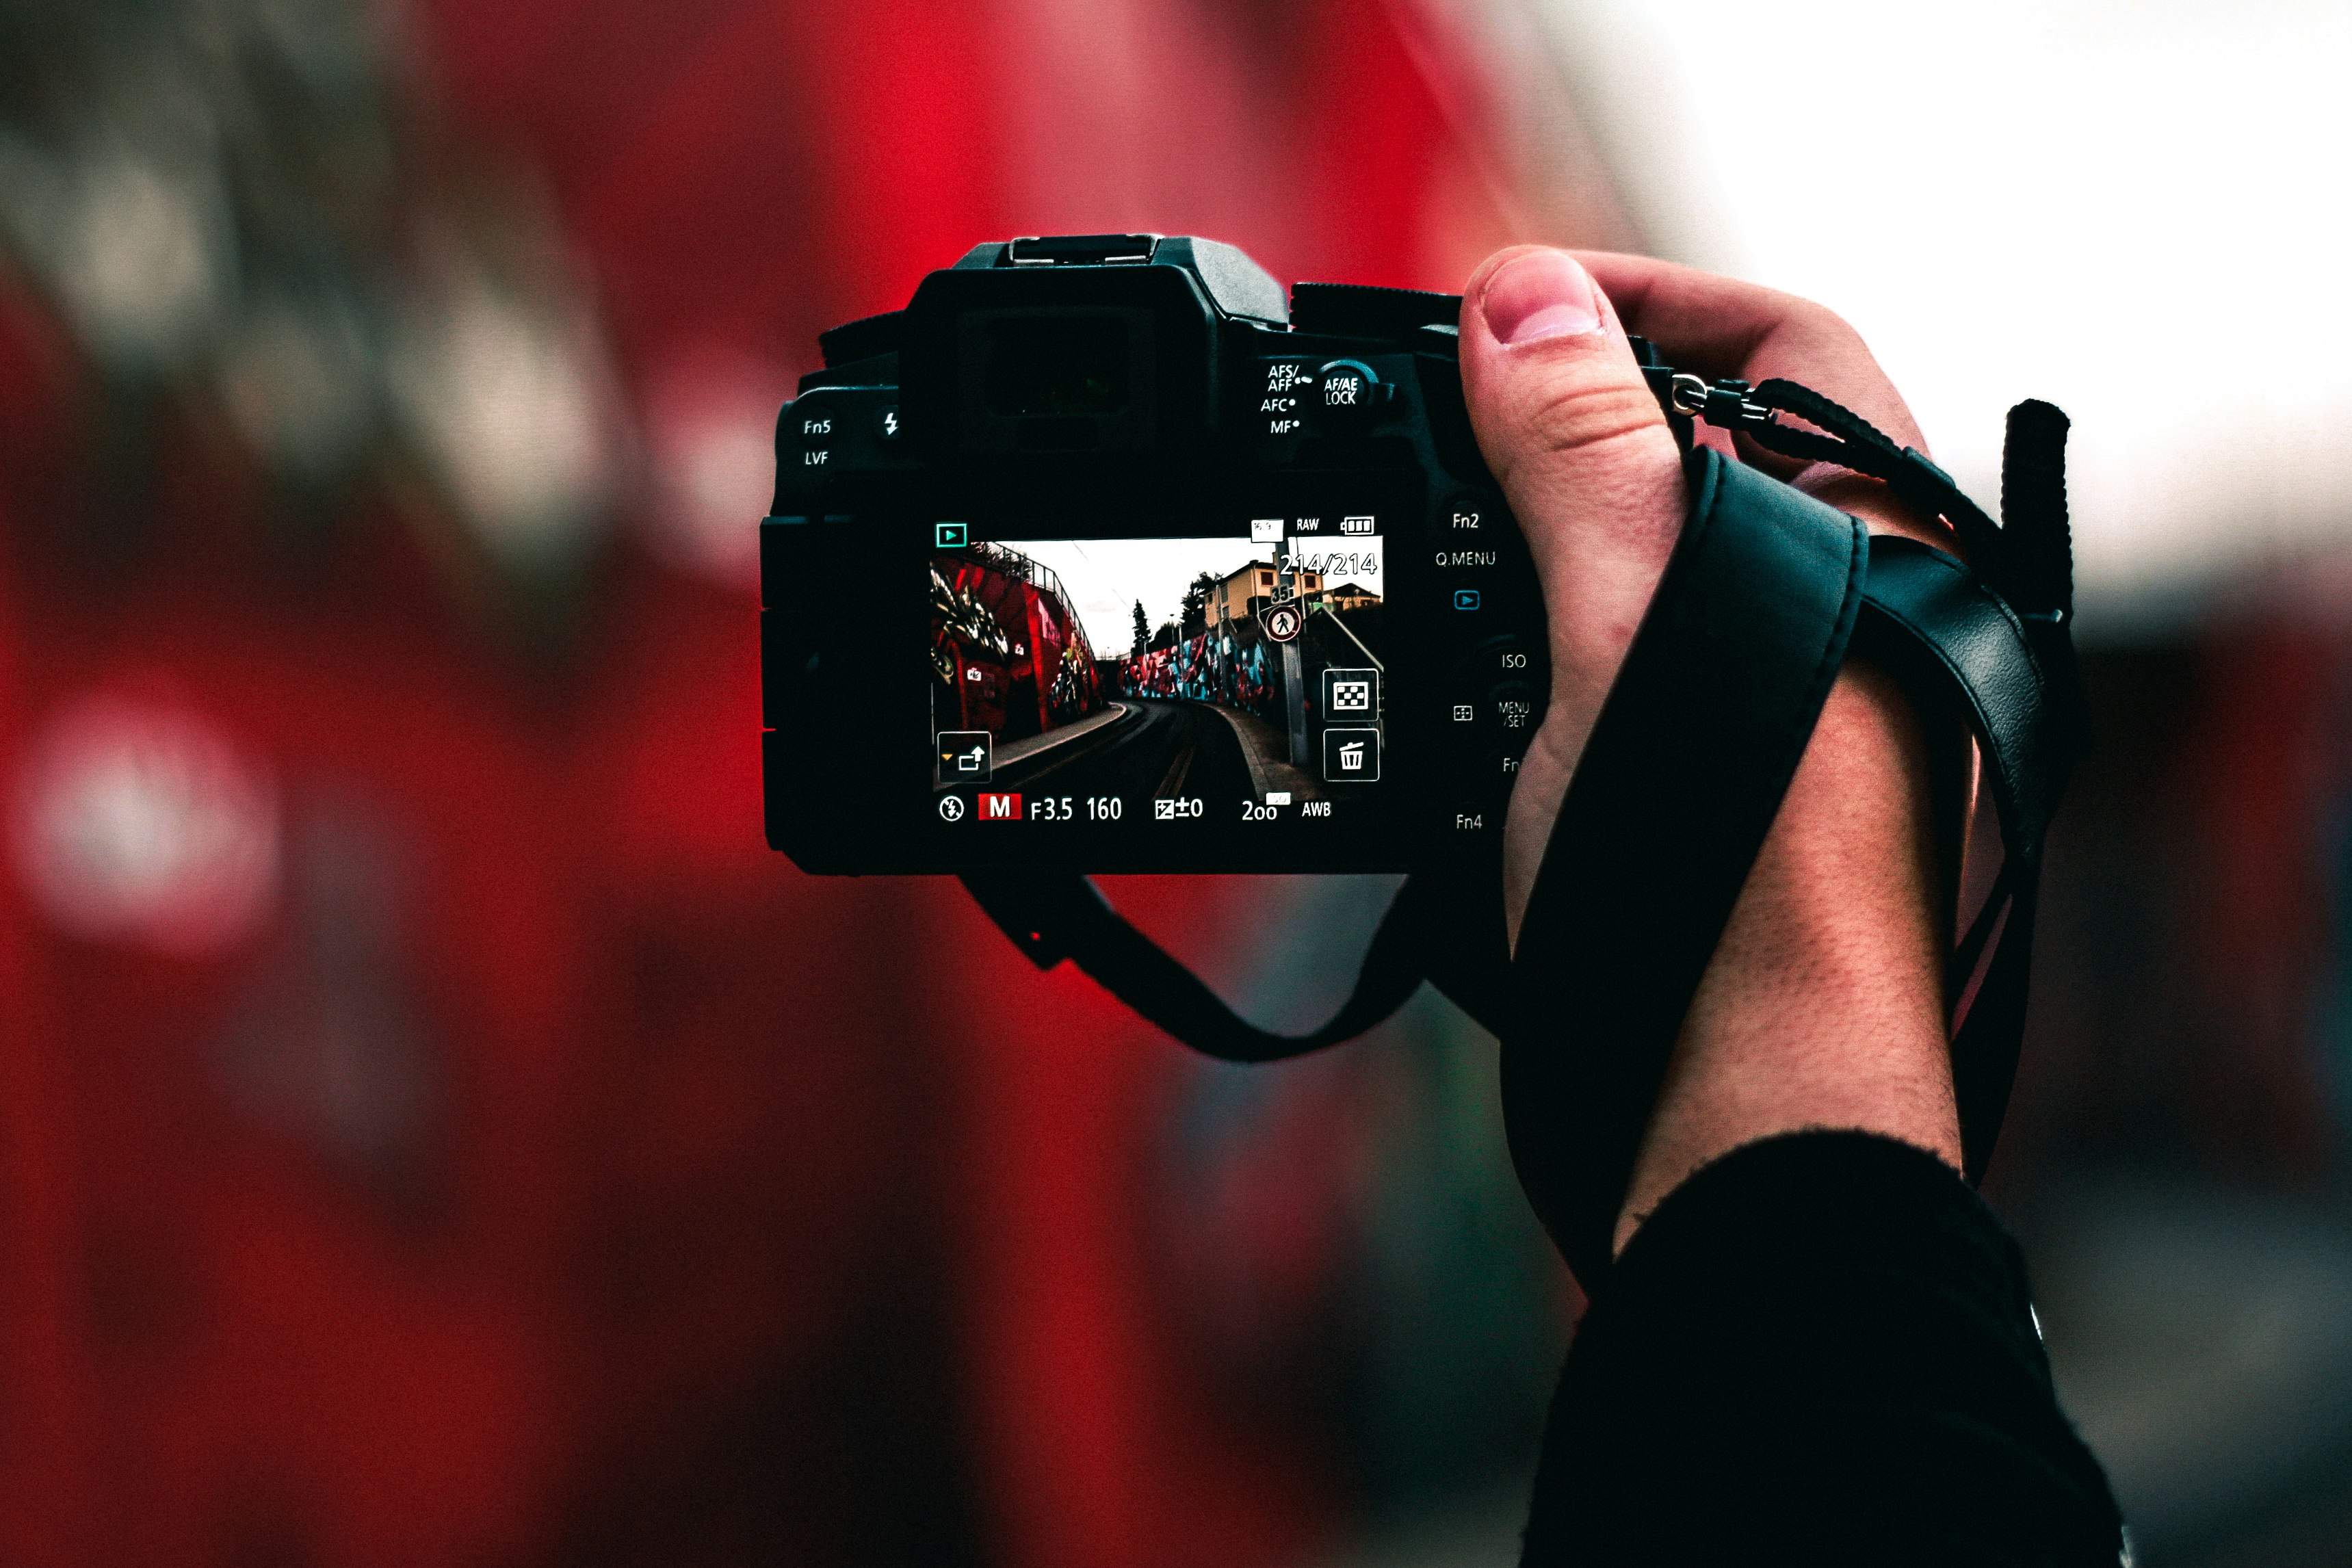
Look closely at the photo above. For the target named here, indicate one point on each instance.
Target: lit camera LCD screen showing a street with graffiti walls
(1140, 685)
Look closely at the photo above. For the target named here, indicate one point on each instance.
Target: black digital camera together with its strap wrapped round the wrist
(1102, 556)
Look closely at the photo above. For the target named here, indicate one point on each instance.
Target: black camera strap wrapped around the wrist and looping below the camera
(1765, 598)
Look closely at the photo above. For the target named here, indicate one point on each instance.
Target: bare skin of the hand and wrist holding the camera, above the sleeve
(1824, 1005)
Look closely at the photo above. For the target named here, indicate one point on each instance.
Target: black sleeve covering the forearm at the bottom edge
(1819, 1351)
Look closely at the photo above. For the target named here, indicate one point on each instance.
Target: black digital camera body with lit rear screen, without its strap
(1102, 556)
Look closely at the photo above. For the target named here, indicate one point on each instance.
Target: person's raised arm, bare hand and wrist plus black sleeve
(1815, 1346)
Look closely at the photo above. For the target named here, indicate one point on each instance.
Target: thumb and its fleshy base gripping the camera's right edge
(1596, 481)
